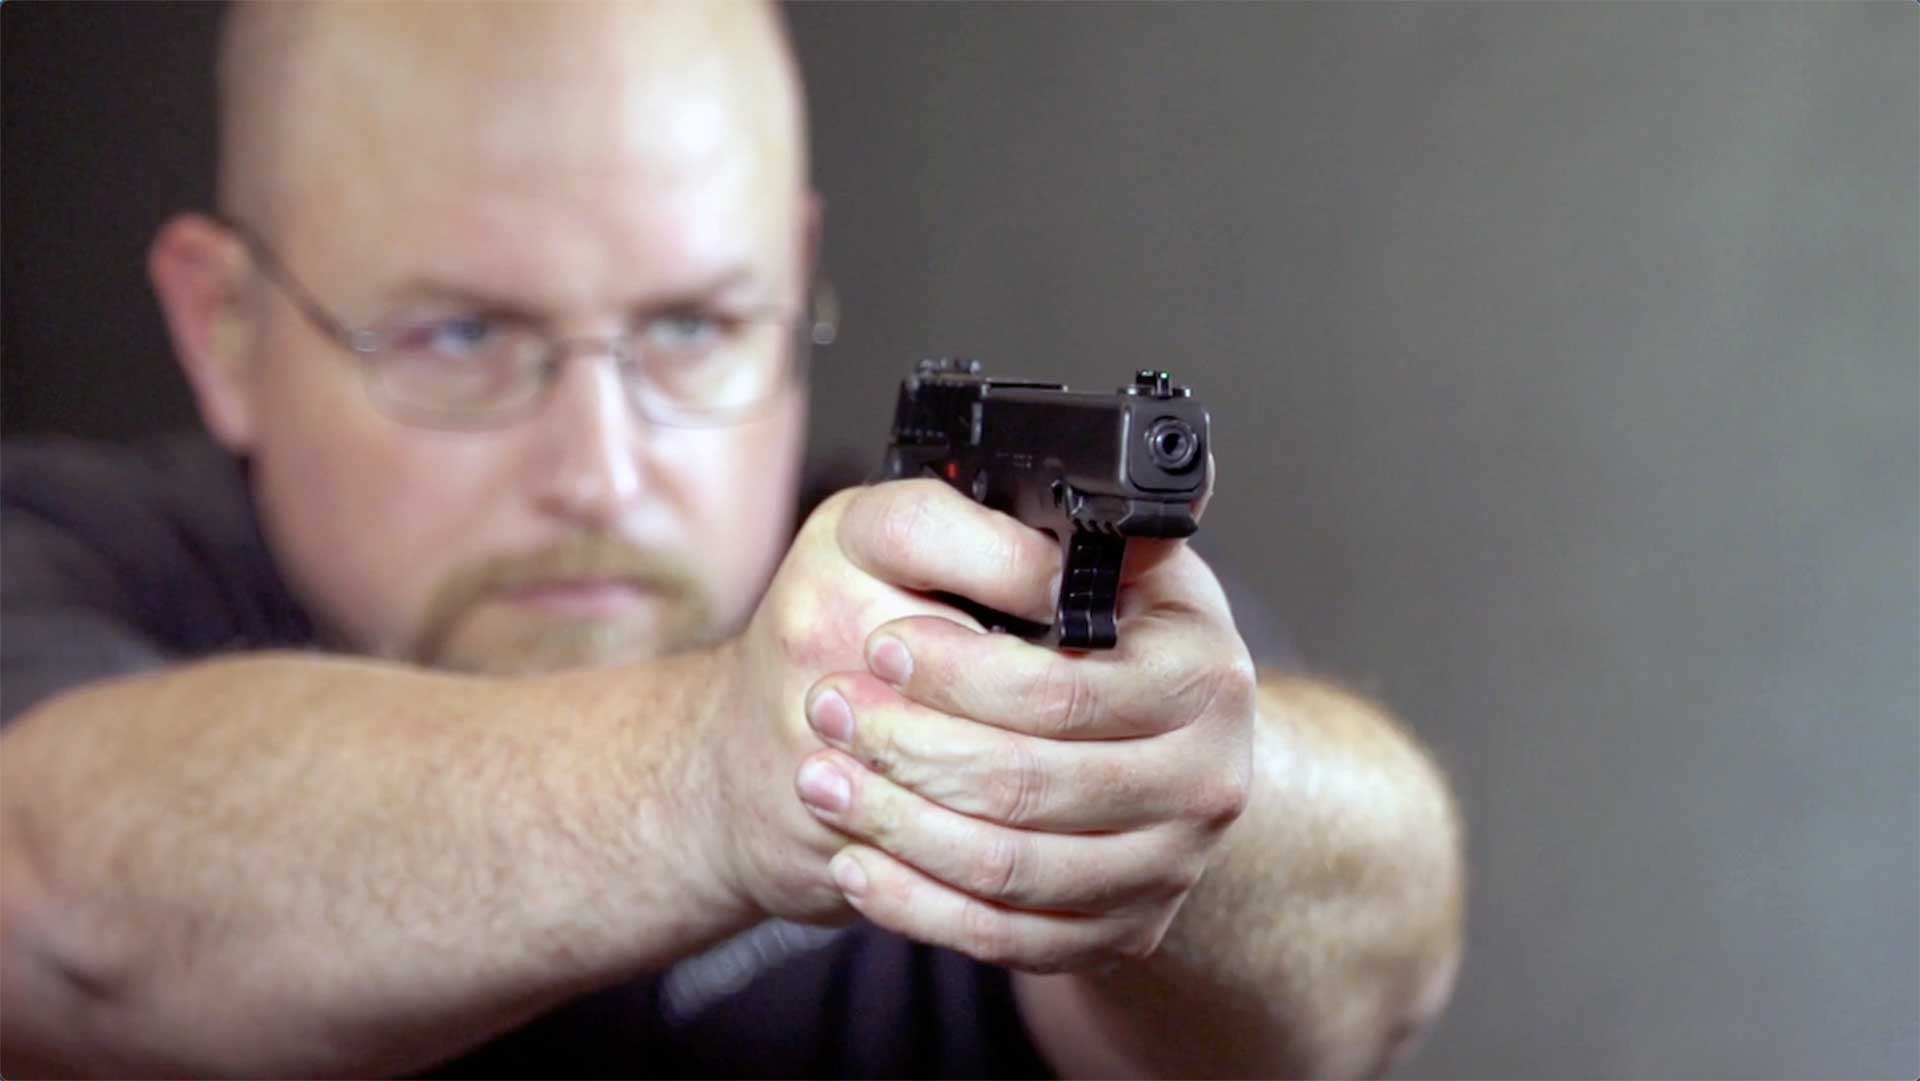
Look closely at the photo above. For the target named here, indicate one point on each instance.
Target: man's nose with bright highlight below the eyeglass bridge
(590, 443)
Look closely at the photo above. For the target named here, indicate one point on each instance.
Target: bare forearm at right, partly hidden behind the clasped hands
(1322, 940)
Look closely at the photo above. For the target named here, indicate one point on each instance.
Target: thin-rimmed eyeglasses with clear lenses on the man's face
(686, 368)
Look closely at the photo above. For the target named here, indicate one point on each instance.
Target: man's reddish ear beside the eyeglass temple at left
(201, 272)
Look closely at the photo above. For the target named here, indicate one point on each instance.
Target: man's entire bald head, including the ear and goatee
(435, 172)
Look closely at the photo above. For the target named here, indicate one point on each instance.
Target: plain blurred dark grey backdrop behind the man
(1566, 375)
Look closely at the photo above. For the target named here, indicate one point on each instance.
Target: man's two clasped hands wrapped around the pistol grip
(1028, 807)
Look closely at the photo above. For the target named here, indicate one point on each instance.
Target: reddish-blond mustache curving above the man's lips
(587, 558)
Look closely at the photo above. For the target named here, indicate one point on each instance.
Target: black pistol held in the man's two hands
(1092, 469)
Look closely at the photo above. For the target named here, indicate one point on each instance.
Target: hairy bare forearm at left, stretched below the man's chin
(293, 865)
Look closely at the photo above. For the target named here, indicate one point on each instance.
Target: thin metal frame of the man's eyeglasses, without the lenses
(821, 318)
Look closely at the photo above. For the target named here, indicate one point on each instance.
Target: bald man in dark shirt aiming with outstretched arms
(498, 314)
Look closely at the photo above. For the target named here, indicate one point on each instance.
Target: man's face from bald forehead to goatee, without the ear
(581, 168)
